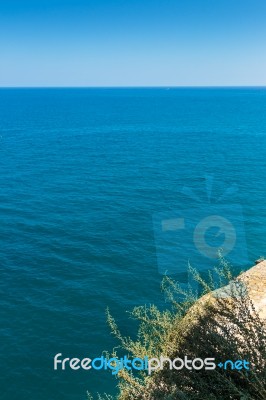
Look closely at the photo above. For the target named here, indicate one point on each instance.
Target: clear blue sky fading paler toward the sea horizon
(132, 43)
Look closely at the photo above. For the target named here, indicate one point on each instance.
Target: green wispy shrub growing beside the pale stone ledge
(225, 328)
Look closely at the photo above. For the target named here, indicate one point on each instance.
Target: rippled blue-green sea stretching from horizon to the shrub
(83, 172)
